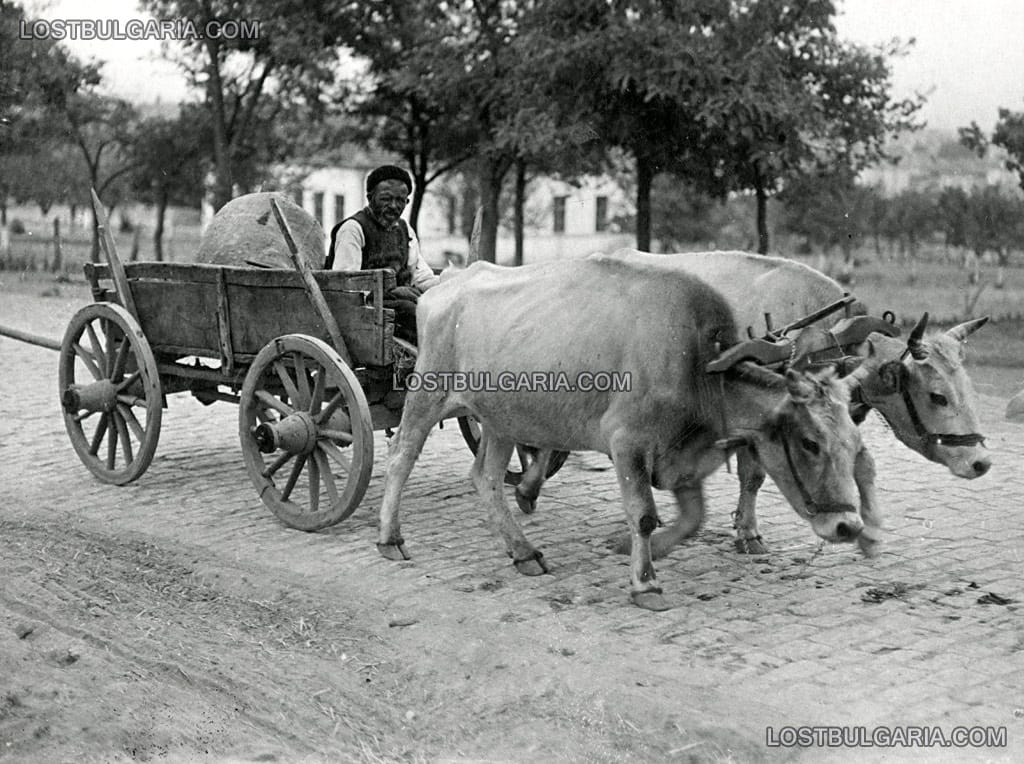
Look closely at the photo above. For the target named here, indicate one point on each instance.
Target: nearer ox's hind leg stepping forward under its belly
(489, 477)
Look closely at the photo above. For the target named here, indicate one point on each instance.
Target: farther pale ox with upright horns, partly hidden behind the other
(920, 388)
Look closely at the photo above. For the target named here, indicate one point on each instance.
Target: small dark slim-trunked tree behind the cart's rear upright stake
(169, 164)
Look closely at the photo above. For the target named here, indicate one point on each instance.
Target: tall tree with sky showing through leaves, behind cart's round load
(250, 83)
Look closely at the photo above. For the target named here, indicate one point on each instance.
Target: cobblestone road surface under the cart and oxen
(928, 634)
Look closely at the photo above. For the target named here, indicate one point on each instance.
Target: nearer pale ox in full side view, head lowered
(669, 431)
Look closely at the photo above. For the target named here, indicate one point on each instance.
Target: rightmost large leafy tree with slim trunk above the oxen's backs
(804, 102)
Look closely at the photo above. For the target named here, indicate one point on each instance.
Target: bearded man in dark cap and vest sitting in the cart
(377, 237)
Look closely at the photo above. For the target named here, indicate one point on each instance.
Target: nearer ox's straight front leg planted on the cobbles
(638, 500)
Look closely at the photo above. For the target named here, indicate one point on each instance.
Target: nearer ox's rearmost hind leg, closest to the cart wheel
(421, 412)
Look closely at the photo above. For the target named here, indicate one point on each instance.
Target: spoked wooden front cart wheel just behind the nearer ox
(307, 434)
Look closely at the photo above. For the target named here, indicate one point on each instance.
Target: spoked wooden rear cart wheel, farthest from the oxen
(110, 392)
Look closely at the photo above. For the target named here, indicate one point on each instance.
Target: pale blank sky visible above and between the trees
(968, 56)
